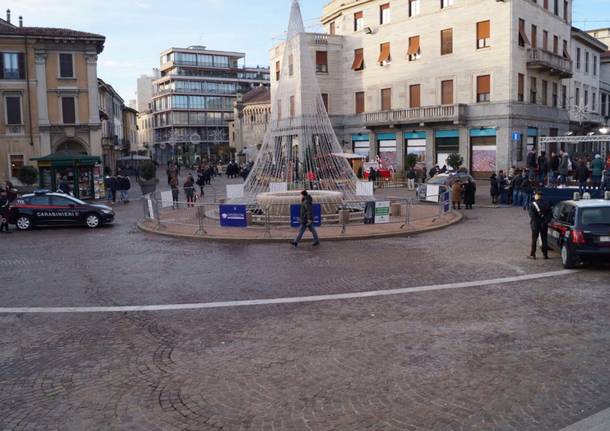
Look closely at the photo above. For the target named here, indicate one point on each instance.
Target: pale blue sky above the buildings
(138, 30)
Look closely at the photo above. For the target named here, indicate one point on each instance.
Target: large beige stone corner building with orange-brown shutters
(476, 77)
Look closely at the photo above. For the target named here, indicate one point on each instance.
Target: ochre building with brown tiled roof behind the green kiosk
(49, 98)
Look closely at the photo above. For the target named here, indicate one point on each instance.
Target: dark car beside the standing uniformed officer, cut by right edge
(580, 231)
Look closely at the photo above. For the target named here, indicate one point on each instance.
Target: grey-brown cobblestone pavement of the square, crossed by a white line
(522, 356)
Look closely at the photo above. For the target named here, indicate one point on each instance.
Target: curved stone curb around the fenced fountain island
(145, 229)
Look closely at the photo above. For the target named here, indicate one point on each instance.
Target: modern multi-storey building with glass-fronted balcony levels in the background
(194, 97)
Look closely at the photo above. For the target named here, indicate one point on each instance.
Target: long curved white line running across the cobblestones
(291, 300)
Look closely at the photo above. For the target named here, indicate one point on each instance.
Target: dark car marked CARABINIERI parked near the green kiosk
(50, 209)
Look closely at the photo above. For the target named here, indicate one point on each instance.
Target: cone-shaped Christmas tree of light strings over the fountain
(300, 147)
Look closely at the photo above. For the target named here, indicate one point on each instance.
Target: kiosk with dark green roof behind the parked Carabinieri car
(80, 174)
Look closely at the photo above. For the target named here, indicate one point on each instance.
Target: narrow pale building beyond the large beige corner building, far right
(585, 101)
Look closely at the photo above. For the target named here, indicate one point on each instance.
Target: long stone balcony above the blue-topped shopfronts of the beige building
(426, 114)
